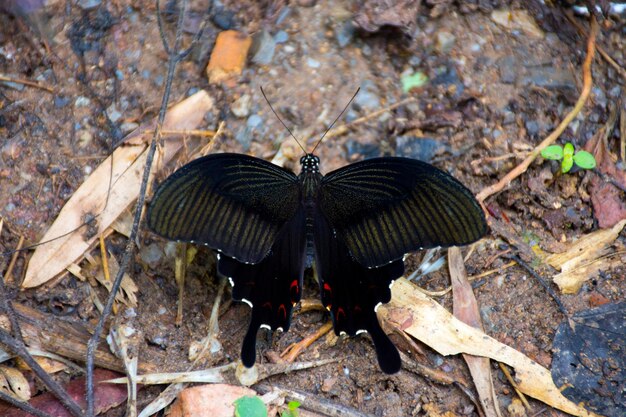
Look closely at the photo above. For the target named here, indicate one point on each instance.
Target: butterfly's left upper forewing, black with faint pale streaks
(234, 203)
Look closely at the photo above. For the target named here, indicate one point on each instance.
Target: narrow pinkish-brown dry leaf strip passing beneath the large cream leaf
(466, 309)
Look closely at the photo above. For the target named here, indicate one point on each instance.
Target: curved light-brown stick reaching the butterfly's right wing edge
(587, 83)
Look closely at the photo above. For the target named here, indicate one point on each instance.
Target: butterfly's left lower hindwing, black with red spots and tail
(273, 286)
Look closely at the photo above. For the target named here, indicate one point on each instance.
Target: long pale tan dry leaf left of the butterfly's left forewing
(95, 197)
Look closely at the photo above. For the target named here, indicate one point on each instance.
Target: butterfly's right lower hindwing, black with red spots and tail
(351, 292)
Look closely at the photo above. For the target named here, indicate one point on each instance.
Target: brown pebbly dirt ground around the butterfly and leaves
(492, 94)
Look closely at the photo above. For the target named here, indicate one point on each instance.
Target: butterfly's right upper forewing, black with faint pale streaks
(385, 207)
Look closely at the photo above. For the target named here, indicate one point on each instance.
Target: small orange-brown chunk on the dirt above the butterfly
(229, 56)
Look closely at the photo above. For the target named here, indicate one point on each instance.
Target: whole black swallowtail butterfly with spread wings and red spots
(356, 223)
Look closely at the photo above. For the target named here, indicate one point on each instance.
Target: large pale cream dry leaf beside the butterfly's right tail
(449, 336)
